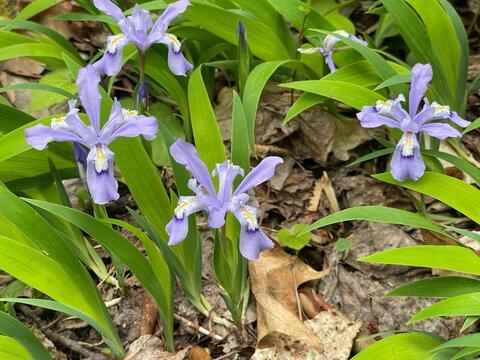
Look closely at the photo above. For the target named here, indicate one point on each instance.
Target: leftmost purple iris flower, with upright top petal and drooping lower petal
(99, 161)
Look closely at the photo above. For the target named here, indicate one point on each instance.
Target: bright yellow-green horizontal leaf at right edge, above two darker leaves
(431, 256)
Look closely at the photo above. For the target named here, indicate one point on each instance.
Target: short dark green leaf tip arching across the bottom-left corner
(15, 329)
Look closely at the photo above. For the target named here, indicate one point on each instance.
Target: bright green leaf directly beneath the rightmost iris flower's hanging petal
(453, 192)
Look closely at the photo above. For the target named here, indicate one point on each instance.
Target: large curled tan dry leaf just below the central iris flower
(275, 278)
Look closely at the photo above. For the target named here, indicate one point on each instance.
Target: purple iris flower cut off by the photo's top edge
(139, 30)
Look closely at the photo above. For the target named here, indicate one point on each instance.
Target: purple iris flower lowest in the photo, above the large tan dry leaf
(252, 240)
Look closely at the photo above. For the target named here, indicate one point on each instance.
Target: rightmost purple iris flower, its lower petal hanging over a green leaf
(407, 161)
